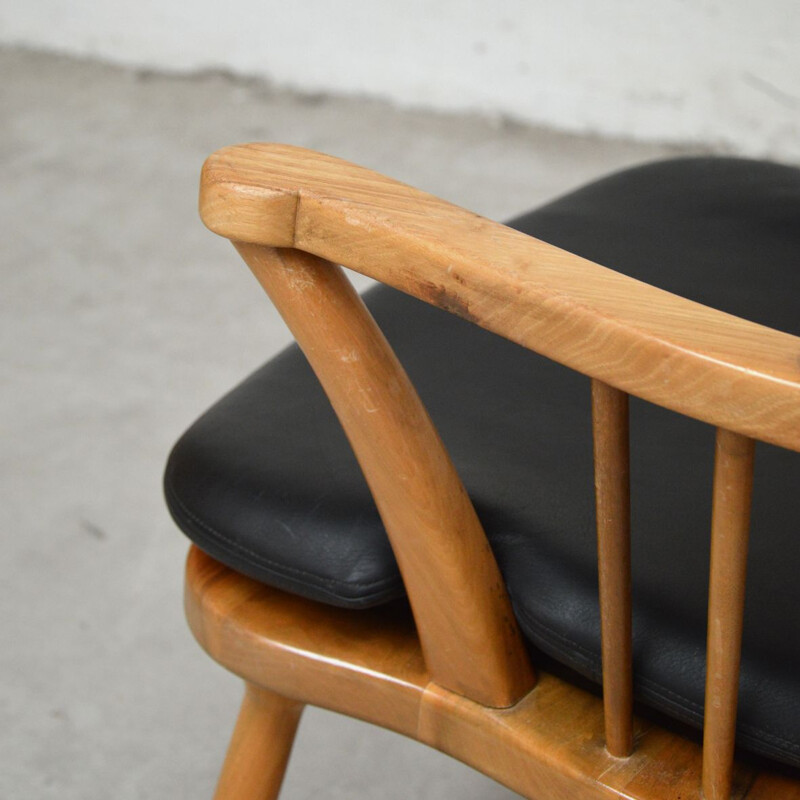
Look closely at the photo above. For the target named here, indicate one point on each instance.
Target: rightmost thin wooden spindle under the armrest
(730, 525)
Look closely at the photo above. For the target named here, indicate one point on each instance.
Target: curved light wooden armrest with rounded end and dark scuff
(667, 349)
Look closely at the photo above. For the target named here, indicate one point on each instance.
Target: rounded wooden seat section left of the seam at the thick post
(366, 663)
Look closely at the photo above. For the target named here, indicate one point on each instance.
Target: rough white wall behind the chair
(719, 72)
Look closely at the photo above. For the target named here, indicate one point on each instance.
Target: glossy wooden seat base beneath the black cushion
(368, 664)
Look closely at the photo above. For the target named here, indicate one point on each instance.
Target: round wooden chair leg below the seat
(260, 746)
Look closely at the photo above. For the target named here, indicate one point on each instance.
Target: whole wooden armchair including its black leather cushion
(450, 666)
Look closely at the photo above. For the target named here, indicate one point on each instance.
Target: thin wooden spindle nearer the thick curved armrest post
(612, 490)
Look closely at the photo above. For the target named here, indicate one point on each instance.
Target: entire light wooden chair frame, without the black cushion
(452, 670)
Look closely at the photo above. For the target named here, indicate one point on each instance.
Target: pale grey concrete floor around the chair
(122, 319)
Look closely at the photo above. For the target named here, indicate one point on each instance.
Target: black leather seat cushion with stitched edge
(266, 482)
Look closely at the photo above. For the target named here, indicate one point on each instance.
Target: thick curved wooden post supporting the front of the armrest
(468, 631)
